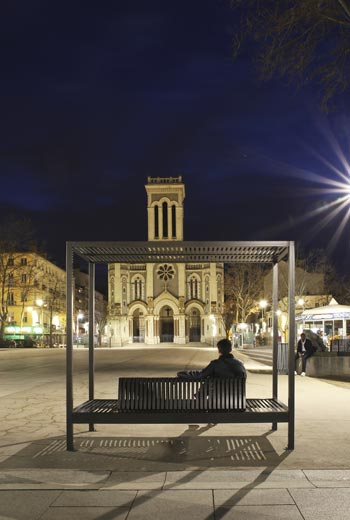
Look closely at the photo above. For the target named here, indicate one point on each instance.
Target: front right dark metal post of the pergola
(291, 343)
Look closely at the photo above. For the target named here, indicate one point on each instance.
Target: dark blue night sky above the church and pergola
(97, 96)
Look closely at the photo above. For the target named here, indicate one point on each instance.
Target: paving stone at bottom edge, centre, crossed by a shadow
(172, 505)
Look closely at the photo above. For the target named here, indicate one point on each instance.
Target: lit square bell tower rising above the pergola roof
(165, 196)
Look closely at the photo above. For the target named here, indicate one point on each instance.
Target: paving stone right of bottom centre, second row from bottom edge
(245, 497)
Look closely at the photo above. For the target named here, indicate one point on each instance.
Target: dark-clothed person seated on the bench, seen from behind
(225, 366)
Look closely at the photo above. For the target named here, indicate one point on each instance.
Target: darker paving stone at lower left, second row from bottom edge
(105, 498)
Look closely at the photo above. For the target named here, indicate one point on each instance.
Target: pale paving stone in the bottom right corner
(323, 504)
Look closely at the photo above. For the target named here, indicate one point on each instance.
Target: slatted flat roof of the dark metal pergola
(138, 252)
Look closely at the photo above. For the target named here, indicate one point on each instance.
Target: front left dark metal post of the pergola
(69, 348)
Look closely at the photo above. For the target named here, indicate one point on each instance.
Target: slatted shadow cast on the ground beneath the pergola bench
(187, 451)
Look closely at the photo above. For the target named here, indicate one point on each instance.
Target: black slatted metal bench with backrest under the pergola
(172, 400)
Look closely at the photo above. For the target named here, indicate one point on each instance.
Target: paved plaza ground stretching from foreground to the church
(165, 471)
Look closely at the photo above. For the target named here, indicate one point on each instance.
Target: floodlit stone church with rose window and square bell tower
(165, 302)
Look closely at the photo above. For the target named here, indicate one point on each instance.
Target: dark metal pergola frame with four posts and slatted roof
(180, 252)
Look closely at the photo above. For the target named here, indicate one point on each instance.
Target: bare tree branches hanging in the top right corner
(302, 40)
